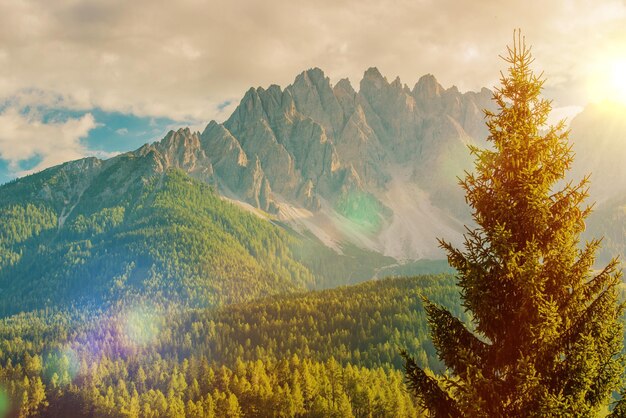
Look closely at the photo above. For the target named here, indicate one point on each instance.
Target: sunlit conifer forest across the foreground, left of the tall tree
(329, 353)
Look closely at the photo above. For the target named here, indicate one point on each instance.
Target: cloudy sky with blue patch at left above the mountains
(81, 78)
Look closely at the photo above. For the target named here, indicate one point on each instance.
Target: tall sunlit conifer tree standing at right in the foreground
(546, 337)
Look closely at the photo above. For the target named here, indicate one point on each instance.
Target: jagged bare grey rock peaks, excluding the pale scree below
(313, 141)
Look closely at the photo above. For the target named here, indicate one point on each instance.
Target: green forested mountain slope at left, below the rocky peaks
(166, 236)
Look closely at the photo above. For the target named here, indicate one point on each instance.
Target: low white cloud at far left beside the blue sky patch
(24, 135)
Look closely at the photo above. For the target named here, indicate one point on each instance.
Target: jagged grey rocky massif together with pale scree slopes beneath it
(331, 156)
